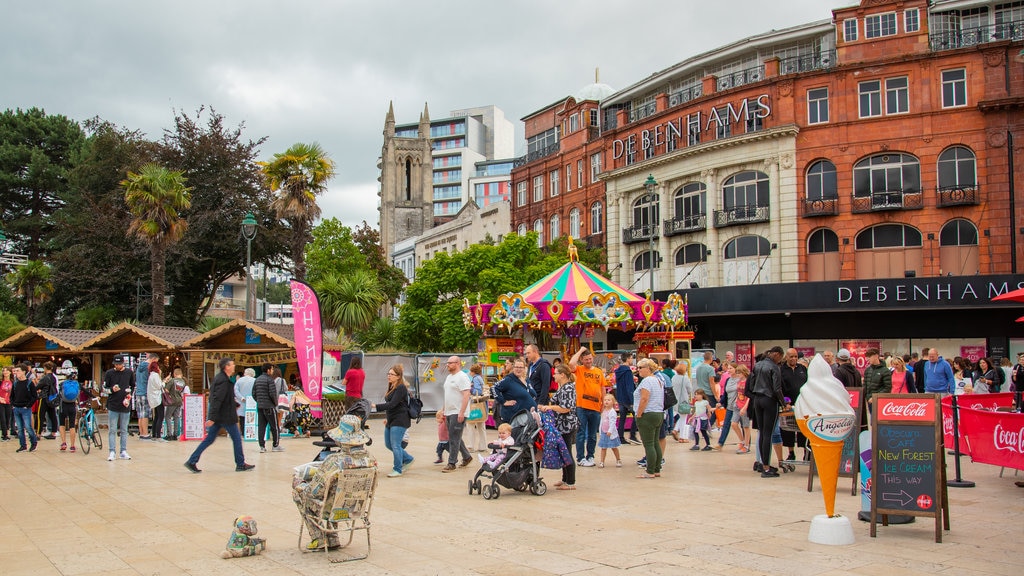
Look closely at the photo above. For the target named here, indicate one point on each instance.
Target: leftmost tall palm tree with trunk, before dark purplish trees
(155, 197)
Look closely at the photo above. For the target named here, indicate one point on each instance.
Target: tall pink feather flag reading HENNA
(309, 342)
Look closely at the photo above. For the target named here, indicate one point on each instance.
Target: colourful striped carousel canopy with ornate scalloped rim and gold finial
(575, 301)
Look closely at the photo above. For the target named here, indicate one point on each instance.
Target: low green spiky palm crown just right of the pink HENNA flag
(350, 303)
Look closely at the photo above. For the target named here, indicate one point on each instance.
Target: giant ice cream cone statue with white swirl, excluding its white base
(825, 416)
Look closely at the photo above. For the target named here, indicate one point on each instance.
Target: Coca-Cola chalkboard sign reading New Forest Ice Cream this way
(909, 472)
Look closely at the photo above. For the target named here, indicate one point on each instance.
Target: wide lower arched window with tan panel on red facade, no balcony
(888, 252)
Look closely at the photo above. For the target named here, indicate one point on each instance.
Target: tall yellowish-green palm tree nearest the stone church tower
(297, 177)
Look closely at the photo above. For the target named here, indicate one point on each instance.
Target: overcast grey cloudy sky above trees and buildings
(325, 71)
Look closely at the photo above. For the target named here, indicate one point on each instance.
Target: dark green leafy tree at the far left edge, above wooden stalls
(36, 153)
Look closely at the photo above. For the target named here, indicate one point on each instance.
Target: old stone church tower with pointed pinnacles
(406, 183)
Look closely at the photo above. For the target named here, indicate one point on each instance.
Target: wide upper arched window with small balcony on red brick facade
(887, 181)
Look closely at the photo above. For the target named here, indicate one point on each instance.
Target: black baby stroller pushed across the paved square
(522, 468)
